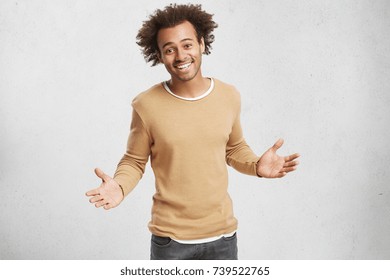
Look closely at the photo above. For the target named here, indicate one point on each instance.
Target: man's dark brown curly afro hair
(171, 16)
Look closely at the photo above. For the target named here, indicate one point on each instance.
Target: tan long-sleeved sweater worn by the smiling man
(189, 144)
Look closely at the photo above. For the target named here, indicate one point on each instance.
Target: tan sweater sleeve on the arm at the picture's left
(132, 165)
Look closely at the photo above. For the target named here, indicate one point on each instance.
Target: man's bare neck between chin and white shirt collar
(189, 89)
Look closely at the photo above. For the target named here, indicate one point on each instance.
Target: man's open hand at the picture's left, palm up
(108, 195)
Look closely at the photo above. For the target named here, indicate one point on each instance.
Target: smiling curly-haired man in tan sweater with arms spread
(190, 128)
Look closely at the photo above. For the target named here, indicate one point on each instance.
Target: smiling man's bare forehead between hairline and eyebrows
(176, 34)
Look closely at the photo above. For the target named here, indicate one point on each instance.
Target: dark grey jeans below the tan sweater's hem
(164, 248)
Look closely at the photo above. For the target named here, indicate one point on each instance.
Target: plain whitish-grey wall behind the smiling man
(313, 72)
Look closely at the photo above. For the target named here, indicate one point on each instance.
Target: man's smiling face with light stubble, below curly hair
(180, 51)
